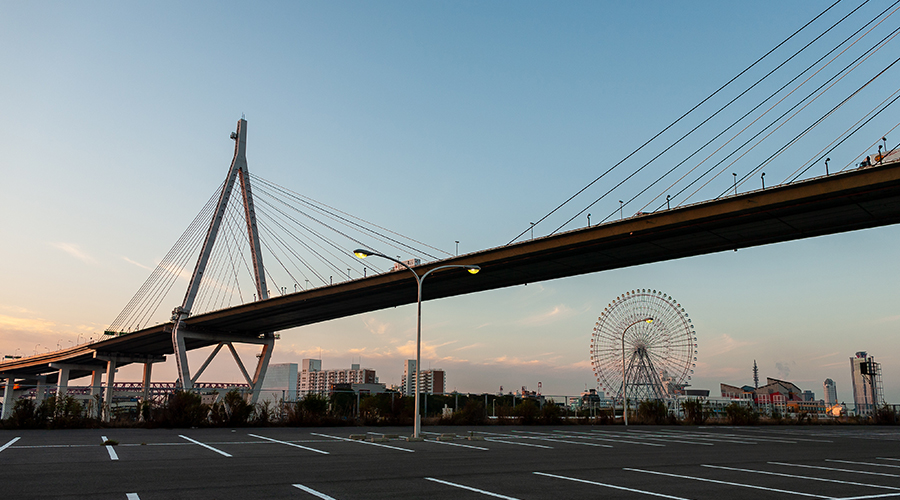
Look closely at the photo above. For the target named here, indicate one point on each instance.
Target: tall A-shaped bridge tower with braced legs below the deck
(238, 172)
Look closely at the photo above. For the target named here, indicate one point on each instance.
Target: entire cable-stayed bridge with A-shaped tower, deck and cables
(229, 300)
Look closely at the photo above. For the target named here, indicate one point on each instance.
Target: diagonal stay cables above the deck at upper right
(829, 126)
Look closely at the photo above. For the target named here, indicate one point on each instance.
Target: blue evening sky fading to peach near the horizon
(446, 121)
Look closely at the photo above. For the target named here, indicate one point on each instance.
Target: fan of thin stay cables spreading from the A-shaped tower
(304, 243)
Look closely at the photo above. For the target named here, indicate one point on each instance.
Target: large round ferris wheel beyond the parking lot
(651, 335)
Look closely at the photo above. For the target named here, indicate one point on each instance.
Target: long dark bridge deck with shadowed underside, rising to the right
(837, 203)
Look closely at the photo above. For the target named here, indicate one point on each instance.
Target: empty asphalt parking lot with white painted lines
(502, 462)
